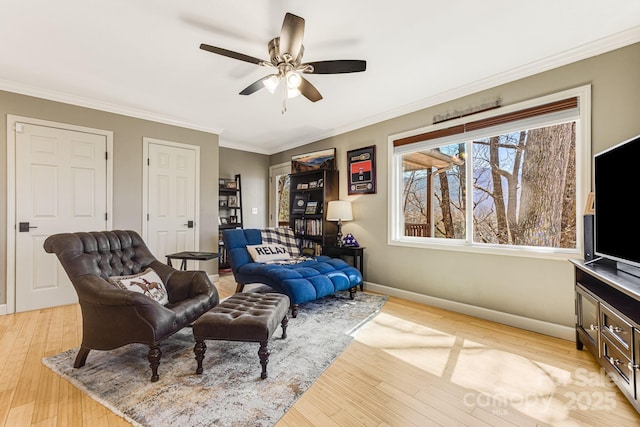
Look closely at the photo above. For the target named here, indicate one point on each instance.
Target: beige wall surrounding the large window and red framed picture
(533, 288)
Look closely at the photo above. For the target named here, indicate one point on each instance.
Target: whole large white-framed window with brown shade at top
(512, 179)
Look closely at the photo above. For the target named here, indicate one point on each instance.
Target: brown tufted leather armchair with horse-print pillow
(113, 317)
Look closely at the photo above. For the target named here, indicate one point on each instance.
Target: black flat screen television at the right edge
(616, 188)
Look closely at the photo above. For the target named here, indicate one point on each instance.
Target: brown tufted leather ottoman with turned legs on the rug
(250, 317)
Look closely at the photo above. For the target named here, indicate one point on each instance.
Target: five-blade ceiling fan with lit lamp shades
(285, 54)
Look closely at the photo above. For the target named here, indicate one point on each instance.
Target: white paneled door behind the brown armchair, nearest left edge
(61, 186)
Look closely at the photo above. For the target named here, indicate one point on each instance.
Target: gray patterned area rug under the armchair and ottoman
(230, 391)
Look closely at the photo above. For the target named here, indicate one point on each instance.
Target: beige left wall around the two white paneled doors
(127, 149)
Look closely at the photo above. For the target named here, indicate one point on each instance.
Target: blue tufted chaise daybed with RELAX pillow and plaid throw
(302, 279)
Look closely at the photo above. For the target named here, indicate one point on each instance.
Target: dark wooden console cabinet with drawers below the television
(608, 322)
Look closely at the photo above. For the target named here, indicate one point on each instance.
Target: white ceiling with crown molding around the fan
(142, 58)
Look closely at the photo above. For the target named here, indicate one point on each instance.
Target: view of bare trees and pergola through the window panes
(524, 189)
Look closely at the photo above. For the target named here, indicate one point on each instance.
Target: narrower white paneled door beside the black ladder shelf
(171, 221)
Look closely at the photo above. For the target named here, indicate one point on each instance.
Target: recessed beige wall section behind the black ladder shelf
(254, 171)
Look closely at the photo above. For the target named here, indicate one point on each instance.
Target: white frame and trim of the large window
(395, 229)
